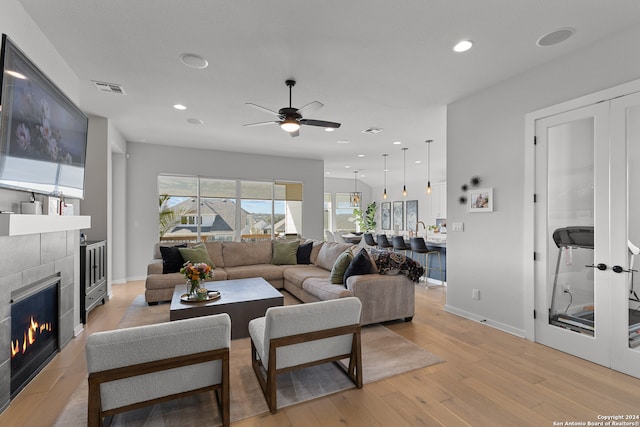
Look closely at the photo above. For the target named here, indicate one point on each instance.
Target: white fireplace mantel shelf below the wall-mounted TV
(19, 225)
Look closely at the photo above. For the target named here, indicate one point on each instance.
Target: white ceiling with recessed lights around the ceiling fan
(373, 63)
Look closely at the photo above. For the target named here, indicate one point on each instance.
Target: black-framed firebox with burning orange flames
(34, 330)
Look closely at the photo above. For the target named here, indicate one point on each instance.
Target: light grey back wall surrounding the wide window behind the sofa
(146, 161)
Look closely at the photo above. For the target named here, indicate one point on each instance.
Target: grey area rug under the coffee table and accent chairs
(384, 354)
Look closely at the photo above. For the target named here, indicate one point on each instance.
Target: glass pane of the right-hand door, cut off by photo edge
(633, 224)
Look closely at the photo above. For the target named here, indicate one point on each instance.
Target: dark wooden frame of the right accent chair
(269, 384)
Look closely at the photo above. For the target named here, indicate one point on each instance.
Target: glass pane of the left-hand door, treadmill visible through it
(570, 222)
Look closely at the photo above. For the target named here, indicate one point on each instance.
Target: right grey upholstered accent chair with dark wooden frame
(297, 336)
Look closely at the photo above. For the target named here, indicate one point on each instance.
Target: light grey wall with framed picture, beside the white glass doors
(486, 138)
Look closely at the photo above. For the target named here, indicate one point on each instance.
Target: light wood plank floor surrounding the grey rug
(490, 378)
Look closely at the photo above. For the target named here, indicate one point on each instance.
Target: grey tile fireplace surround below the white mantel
(30, 259)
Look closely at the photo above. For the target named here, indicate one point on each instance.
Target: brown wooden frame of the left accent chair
(95, 413)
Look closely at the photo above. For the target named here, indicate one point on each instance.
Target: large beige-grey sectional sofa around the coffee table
(384, 297)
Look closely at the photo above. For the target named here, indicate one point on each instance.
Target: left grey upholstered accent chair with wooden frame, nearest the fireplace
(135, 367)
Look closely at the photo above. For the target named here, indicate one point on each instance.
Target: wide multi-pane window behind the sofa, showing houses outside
(199, 209)
